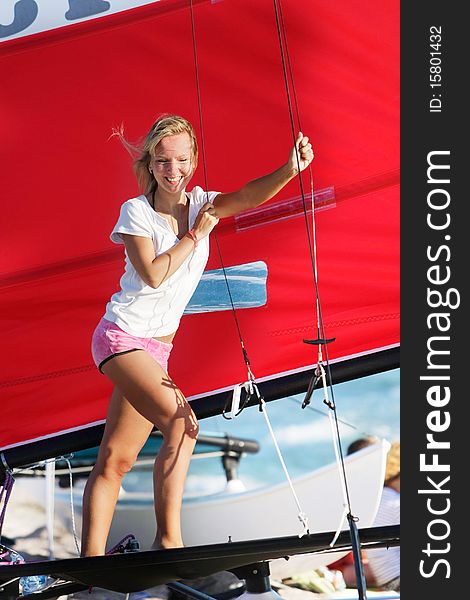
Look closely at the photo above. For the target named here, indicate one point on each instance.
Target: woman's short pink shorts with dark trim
(109, 341)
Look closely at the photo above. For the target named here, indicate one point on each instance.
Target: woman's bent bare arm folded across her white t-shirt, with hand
(154, 270)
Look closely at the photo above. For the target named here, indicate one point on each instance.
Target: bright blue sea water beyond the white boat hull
(366, 406)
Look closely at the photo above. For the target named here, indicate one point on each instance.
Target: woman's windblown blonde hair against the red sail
(142, 153)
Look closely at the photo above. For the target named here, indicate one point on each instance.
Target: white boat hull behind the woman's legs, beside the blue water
(265, 512)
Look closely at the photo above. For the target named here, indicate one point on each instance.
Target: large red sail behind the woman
(63, 181)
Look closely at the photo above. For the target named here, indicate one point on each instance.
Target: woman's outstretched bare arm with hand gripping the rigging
(260, 190)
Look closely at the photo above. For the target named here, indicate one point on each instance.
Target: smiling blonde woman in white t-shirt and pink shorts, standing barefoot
(165, 232)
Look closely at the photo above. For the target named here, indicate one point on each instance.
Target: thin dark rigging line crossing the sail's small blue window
(206, 186)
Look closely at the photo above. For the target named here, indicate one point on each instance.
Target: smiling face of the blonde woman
(172, 165)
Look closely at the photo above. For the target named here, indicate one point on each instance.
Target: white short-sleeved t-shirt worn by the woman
(138, 308)
